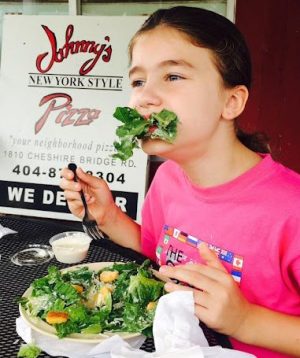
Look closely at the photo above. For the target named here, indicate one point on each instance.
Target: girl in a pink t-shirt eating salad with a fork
(219, 215)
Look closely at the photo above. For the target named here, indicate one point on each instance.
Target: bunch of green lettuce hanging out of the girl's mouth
(162, 125)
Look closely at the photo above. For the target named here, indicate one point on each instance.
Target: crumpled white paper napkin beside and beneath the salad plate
(175, 329)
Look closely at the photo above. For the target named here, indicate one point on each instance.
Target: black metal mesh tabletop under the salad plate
(14, 280)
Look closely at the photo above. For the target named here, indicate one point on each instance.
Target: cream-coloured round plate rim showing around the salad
(42, 327)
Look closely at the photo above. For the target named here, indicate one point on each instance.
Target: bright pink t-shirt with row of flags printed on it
(252, 222)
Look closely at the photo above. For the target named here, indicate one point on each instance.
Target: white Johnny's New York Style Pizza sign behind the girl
(61, 79)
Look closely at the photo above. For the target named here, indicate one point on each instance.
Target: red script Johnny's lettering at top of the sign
(45, 61)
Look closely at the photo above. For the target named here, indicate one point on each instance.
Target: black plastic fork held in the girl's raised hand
(89, 224)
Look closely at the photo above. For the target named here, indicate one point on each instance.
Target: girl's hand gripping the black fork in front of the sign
(97, 194)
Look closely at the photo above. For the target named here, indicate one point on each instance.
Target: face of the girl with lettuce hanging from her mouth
(168, 71)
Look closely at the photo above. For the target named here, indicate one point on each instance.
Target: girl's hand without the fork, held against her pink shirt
(219, 302)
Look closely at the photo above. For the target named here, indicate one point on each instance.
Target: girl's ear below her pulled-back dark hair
(235, 102)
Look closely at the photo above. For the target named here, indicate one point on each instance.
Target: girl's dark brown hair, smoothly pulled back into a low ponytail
(212, 31)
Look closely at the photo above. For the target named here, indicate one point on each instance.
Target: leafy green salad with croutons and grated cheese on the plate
(117, 298)
